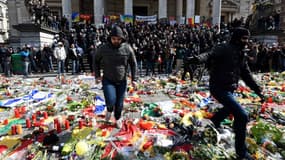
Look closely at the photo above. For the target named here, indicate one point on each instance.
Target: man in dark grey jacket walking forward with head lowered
(115, 56)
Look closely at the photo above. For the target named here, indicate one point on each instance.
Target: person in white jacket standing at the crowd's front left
(60, 56)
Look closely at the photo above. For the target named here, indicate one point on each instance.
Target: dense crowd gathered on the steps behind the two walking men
(159, 49)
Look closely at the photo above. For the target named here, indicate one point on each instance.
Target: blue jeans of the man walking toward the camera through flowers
(114, 94)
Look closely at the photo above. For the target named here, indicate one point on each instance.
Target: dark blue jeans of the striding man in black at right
(231, 106)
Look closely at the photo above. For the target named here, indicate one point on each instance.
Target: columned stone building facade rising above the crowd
(230, 9)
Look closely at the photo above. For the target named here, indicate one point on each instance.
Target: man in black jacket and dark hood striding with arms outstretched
(227, 64)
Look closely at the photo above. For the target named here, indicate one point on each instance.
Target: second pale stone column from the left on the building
(98, 11)
